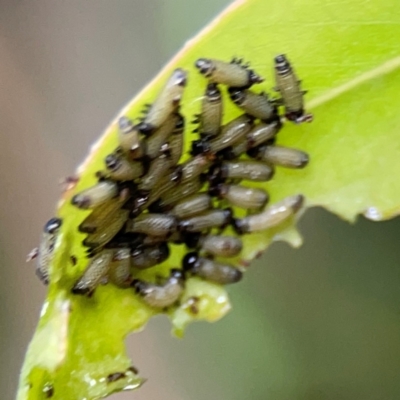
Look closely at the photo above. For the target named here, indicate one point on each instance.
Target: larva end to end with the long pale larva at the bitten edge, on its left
(207, 220)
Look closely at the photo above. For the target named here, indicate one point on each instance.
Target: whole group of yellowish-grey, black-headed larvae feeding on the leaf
(145, 199)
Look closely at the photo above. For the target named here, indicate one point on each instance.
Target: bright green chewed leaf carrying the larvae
(347, 54)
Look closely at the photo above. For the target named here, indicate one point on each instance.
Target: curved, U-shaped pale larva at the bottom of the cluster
(164, 295)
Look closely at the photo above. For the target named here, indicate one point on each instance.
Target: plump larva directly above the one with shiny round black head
(215, 245)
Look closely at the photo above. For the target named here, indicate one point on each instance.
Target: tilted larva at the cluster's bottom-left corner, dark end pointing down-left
(95, 272)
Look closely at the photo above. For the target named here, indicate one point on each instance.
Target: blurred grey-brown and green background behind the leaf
(322, 322)
